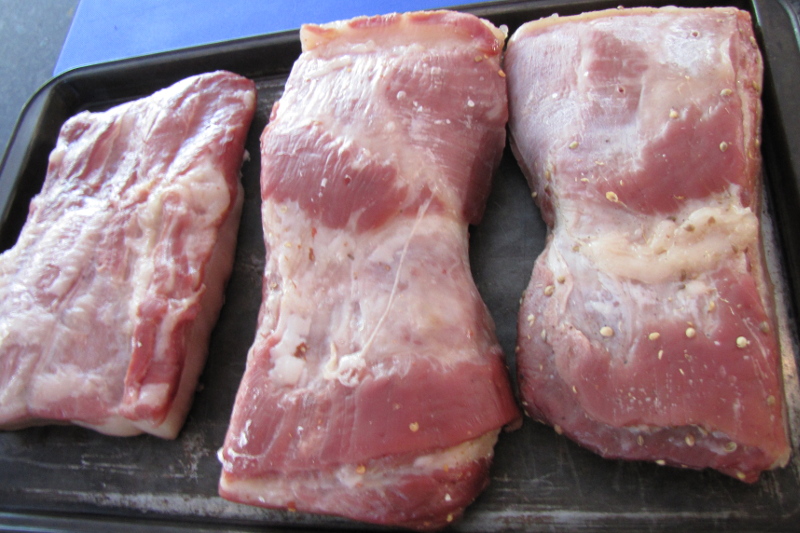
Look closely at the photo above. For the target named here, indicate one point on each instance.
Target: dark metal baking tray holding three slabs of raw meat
(62, 478)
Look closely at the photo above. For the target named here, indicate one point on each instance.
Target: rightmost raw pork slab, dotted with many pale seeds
(648, 328)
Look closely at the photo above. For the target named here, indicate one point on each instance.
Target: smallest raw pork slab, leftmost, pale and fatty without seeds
(109, 296)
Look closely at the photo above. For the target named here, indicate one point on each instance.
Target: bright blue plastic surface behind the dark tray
(106, 30)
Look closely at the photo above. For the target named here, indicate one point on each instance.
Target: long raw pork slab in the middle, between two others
(375, 388)
